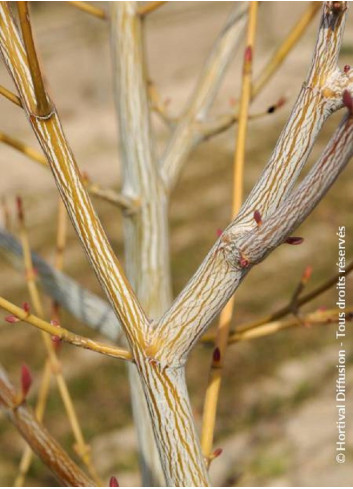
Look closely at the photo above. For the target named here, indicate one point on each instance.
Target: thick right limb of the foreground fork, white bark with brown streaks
(244, 243)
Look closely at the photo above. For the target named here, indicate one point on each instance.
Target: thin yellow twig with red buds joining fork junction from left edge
(61, 333)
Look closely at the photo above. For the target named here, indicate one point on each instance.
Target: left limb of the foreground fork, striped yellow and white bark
(67, 177)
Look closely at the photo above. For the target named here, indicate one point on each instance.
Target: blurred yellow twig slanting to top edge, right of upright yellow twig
(286, 46)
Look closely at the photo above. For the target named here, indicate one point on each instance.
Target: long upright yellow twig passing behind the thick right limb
(213, 388)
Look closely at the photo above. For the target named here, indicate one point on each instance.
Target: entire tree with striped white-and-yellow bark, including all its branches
(157, 333)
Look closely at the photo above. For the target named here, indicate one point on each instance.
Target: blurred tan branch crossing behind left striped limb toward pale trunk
(127, 204)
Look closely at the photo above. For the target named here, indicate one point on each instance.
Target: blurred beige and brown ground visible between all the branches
(277, 415)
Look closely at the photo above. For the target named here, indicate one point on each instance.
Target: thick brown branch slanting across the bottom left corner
(41, 442)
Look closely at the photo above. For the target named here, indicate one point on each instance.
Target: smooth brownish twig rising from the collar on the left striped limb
(43, 105)
